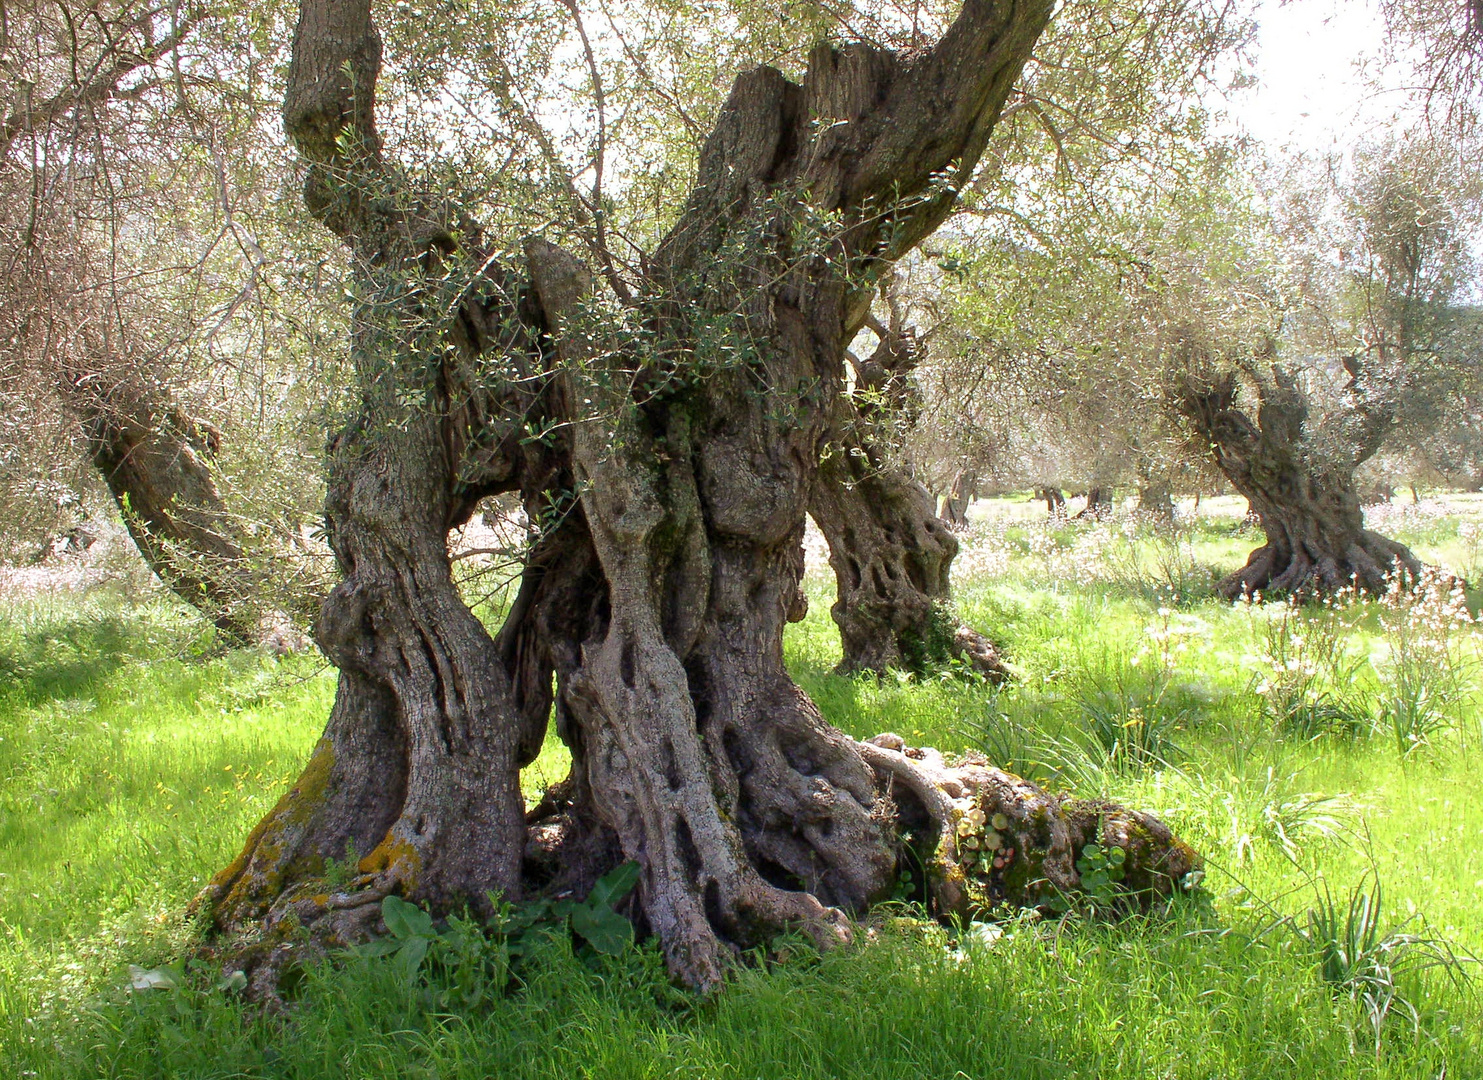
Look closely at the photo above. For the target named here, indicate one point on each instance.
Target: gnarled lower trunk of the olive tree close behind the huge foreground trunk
(892, 556)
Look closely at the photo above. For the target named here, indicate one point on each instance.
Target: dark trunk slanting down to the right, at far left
(156, 462)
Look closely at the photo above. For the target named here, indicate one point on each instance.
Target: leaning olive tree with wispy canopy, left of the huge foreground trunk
(161, 321)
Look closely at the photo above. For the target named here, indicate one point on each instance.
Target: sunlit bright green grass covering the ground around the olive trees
(1327, 760)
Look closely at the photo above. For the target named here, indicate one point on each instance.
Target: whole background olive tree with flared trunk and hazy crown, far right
(1353, 358)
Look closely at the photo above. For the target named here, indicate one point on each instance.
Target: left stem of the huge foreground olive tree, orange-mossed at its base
(417, 777)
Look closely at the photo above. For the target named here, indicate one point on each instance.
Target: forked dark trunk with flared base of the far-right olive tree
(1301, 487)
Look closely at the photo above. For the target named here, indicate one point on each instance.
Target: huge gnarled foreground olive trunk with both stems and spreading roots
(667, 431)
